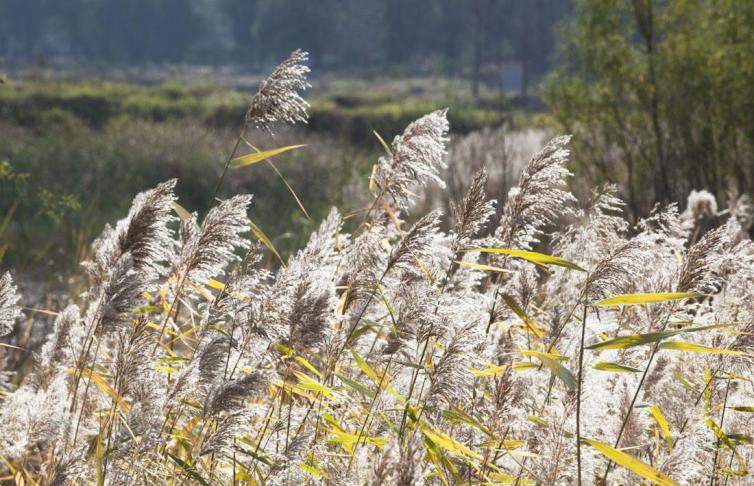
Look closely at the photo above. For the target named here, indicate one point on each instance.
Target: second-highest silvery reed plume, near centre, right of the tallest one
(416, 158)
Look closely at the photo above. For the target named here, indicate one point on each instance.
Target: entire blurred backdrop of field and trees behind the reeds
(100, 99)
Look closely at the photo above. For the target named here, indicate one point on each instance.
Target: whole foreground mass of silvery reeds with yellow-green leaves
(397, 353)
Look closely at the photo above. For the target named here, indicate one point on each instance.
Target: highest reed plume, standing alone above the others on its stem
(278, 98)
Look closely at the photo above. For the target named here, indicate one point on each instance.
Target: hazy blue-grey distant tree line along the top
(450, 37)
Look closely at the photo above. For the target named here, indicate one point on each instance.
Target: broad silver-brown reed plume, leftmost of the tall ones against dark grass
(144, 234)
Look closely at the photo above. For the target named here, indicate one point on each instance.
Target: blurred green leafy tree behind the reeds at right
(658, 89)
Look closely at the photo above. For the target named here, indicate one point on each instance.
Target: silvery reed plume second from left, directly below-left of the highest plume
(207, 249)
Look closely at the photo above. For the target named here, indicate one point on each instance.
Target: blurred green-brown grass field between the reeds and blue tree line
(74, 152)
